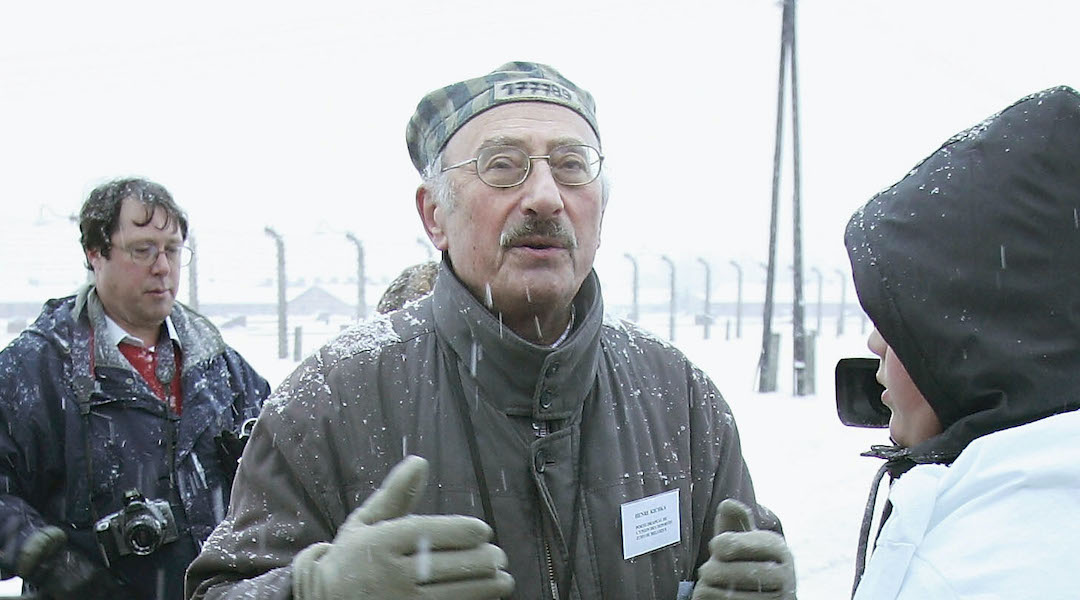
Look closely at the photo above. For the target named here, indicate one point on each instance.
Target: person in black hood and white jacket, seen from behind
(969, 268)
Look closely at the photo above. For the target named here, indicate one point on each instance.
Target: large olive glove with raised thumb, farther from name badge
(383, 552)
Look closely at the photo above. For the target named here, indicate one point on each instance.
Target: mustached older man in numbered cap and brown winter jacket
(565, 456)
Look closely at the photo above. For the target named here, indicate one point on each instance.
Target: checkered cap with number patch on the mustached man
(442, 113)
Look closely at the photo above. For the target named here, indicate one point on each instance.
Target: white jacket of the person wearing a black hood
(1003, 522)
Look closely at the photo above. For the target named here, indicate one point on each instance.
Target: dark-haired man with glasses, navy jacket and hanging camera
(123, 411)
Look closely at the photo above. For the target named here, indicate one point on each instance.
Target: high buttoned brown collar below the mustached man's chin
(517, 376)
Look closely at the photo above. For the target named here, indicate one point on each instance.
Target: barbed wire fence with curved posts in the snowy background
(235, 281)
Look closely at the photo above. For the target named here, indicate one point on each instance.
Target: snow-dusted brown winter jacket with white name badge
(652, 422)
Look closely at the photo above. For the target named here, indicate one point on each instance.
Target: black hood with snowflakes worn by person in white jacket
(970, 269)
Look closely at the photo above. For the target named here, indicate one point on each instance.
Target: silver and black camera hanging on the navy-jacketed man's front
(140, 528)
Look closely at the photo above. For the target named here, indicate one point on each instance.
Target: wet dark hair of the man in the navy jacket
(100, 216)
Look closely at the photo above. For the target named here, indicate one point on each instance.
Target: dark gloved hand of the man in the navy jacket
(61, 572)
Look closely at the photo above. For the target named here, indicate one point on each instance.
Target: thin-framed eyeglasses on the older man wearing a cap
(506, 167)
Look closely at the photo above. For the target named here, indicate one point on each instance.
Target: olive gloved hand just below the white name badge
(746, 564)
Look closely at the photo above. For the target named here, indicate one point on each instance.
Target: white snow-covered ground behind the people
(805, 463)
